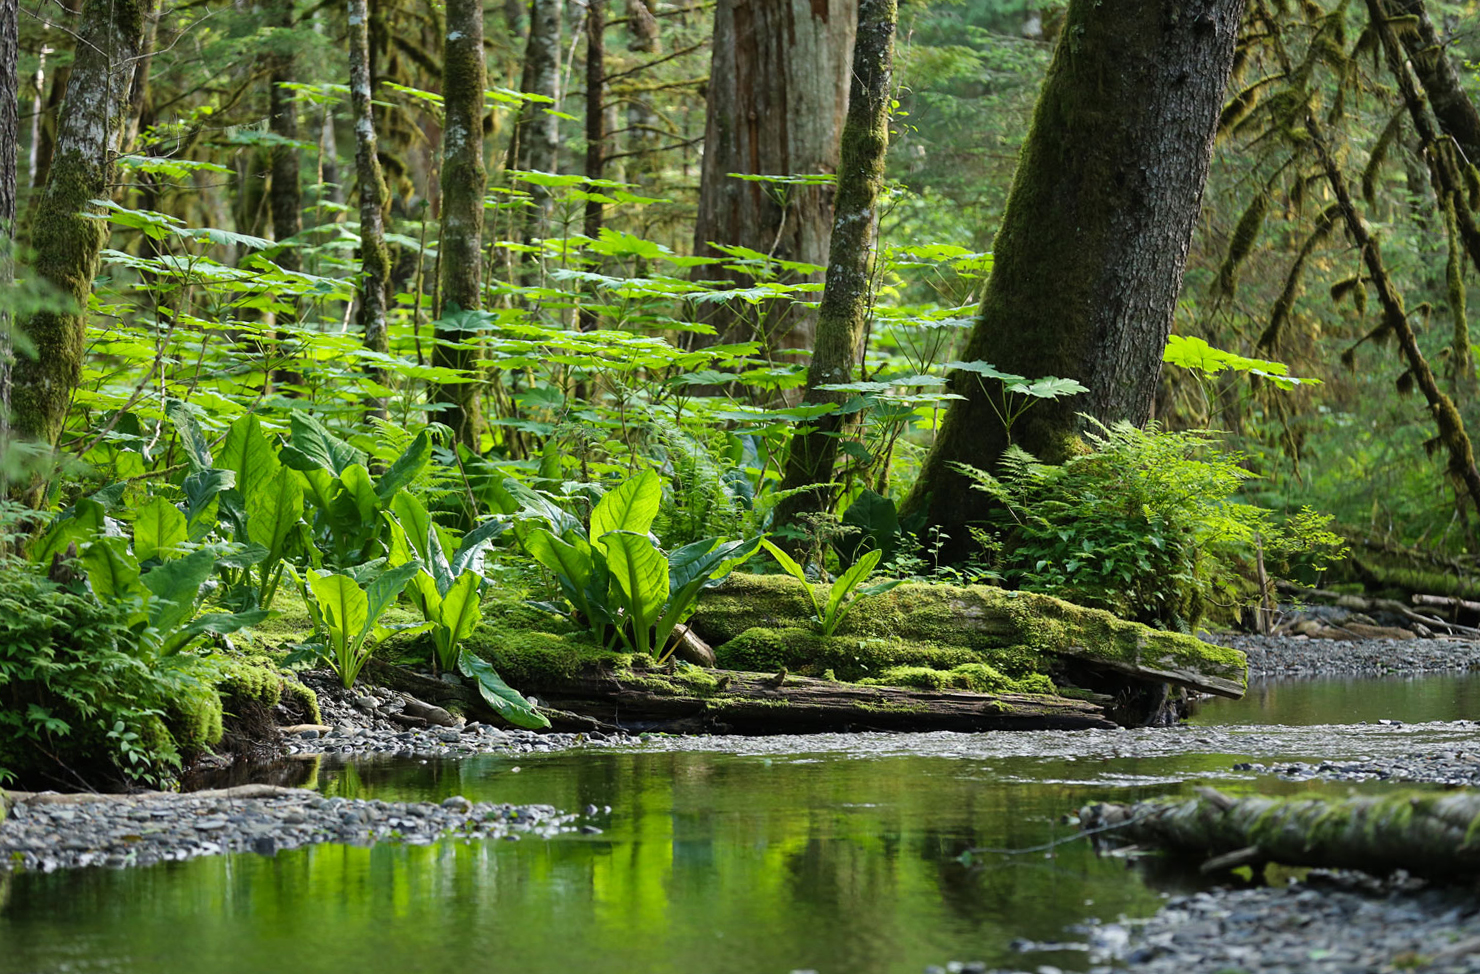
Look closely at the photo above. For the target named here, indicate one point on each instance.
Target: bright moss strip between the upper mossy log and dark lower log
(849, 658)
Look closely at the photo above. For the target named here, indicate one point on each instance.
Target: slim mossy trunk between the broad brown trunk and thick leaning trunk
(847, 295)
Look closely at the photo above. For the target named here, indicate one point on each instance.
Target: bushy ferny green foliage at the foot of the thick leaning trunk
(1145, 525)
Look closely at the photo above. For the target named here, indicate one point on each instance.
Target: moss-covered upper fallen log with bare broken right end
(764, 622)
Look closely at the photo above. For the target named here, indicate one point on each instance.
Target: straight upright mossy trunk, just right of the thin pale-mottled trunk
(461, 248)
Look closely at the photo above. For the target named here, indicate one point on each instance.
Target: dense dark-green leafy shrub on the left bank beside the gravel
(81, 702)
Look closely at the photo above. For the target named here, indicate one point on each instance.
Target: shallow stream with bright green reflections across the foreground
(838, 853)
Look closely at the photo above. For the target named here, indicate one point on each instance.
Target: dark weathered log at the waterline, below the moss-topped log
(754, 704)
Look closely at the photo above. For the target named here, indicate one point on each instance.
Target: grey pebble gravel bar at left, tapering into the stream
(58, 833)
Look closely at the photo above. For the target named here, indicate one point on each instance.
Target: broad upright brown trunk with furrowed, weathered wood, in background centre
(776, 104)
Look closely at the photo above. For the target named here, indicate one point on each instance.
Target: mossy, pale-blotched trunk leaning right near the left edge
(66, 236)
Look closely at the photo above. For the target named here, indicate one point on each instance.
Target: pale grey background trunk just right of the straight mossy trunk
(536, 134)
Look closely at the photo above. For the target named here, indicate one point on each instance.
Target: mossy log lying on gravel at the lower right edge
(1427, 834)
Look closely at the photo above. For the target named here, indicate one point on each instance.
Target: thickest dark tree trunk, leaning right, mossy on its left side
(1094, 239)
